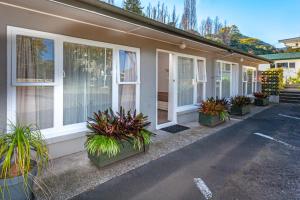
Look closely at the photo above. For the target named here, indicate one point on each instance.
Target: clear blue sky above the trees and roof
(268, 20)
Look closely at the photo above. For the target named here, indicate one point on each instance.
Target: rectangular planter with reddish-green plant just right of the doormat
(213, 112)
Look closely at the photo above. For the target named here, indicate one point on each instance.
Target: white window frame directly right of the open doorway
(195, 104)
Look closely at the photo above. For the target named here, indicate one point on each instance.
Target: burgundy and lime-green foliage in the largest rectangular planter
(109, 129)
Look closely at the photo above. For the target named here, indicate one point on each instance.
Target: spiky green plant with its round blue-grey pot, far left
(24, 154)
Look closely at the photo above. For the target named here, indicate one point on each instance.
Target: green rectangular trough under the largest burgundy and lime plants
(127, 150)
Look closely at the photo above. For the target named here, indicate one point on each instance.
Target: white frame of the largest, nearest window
(58, 128)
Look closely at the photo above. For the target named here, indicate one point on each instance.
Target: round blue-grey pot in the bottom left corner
(13, 188)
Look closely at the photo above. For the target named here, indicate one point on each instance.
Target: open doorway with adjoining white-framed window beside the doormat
(181, 82)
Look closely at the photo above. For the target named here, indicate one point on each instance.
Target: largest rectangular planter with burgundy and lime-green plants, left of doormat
(114, 137)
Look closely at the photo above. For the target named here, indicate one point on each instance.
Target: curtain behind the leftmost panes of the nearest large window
(35, 64)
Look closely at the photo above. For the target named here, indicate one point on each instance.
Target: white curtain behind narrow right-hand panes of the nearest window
(128, 74)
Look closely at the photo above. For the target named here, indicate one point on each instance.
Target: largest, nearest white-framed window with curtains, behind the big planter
(57, 82)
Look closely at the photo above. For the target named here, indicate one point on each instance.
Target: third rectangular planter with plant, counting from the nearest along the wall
(240, 105)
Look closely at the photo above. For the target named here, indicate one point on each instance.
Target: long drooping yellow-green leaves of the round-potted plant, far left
(22, 149)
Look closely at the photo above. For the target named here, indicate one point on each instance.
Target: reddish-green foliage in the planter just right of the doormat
(215, 107)
